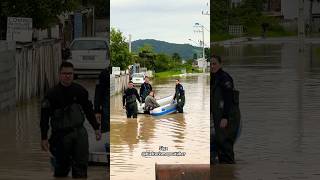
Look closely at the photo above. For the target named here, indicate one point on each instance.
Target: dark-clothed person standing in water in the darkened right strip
(225, 114)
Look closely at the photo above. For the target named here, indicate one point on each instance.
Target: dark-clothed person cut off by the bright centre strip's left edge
(102, 100)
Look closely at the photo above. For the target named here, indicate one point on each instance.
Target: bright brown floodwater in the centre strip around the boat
(187, 132)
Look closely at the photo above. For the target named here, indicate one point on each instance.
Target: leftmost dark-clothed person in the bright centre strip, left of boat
(129, 100)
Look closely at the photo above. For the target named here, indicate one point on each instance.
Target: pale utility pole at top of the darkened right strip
(301, 26)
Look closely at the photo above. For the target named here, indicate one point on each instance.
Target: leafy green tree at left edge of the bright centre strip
(119, 50)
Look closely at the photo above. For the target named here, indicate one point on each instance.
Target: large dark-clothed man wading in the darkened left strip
(65, 105)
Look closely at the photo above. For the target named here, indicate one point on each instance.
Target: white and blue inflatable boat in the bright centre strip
(166, 107)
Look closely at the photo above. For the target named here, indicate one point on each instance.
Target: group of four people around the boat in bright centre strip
(147, 99)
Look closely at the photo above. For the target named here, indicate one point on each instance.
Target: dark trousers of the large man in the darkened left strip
(70, 149)
